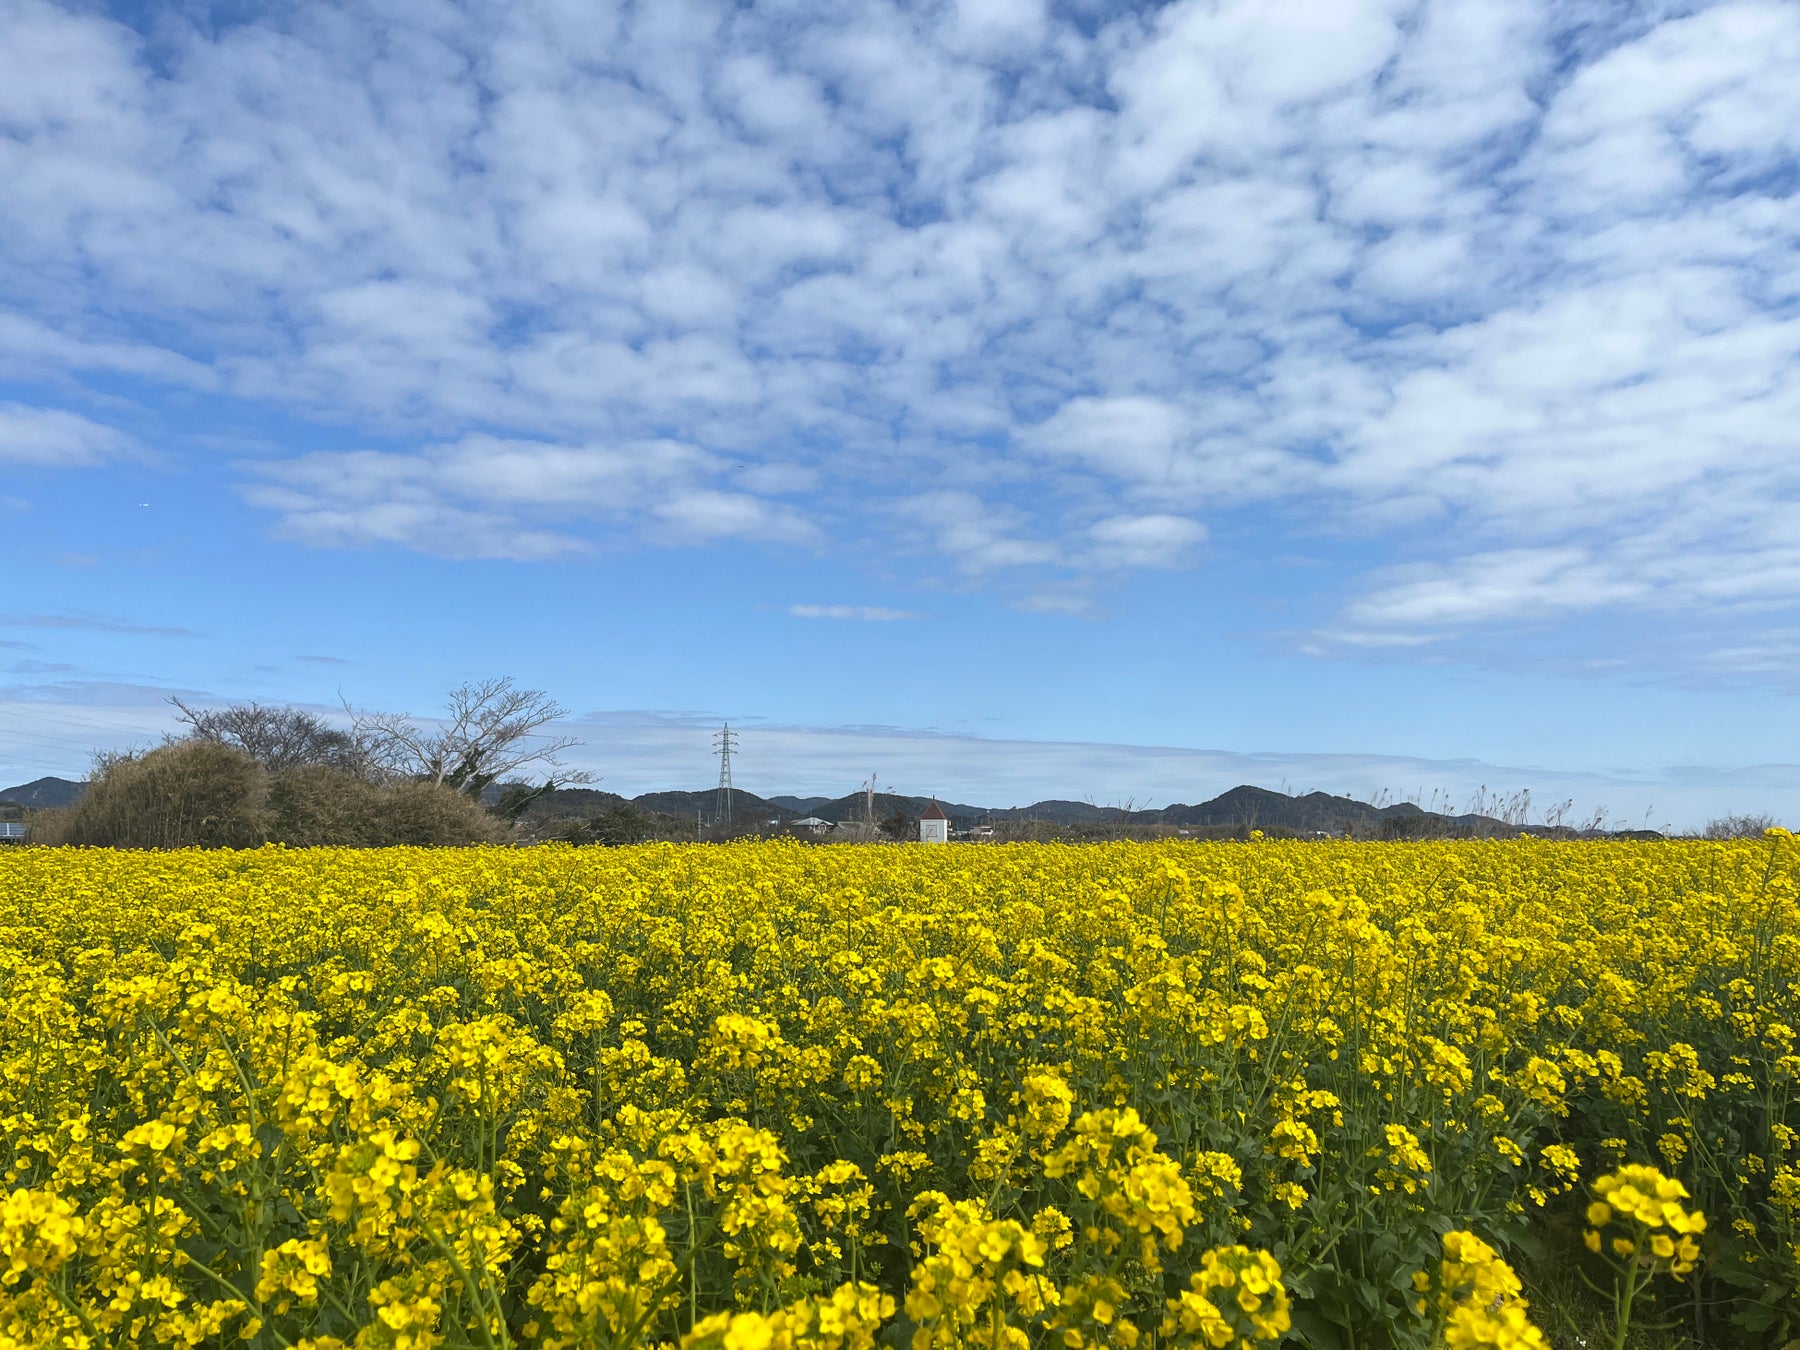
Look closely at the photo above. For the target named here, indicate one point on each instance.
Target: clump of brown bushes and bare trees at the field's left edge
(251, 775)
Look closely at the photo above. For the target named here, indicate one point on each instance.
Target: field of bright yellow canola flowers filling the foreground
(760, 1097)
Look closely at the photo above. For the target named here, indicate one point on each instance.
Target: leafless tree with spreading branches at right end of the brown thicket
(492, 730)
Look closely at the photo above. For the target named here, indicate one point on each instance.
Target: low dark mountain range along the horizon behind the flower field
(1241, 809)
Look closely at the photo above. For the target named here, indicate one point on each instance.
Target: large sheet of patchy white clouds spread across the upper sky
(1507, 291)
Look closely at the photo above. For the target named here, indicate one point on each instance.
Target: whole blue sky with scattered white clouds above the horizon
(1011, 400)
